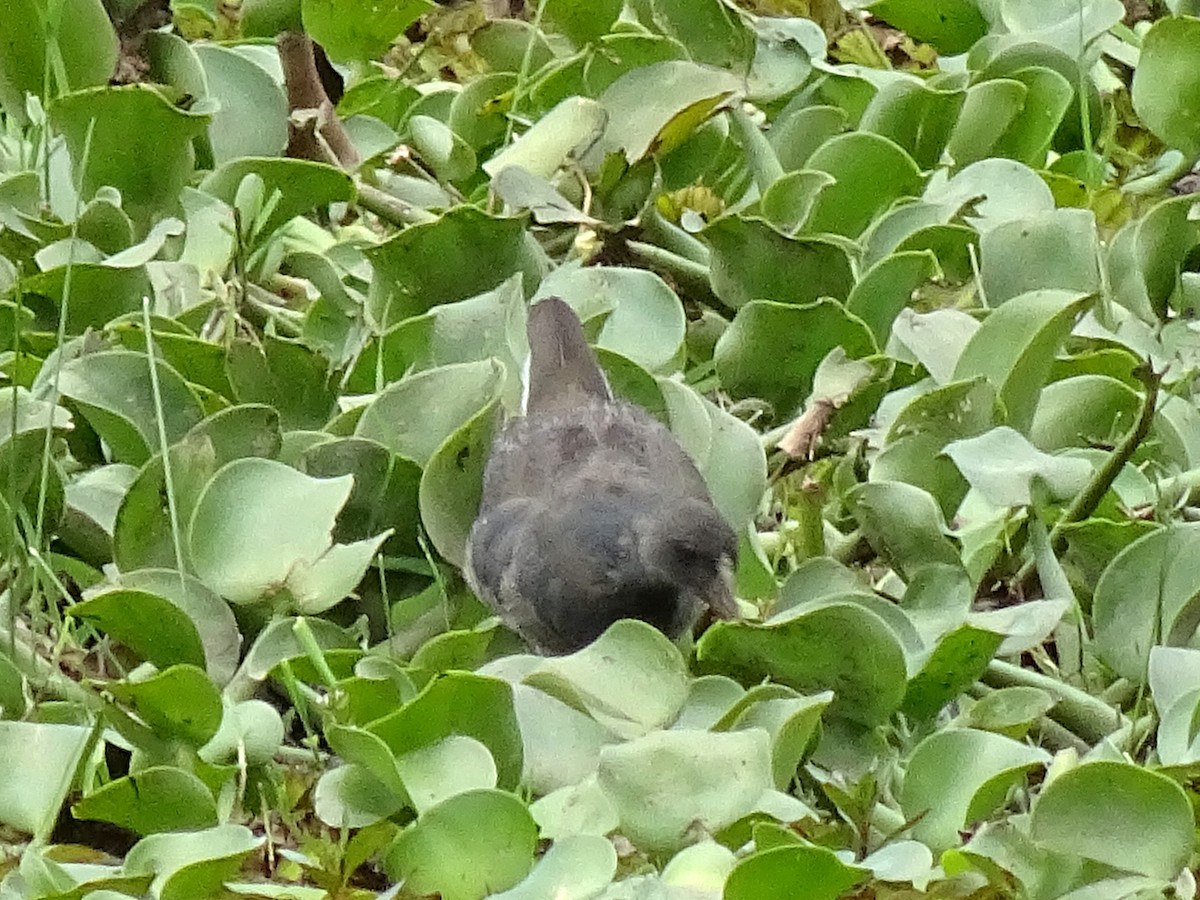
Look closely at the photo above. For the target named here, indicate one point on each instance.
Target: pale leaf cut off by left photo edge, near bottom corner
(46, 755)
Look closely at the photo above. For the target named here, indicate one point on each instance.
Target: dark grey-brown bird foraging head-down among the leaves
(592, 512)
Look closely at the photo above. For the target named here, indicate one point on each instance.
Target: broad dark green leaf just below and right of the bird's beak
(841, 647)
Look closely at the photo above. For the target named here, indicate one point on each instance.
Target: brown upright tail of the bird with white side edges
(563, 370)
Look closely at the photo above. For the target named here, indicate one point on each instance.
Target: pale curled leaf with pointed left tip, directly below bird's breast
(598, 679)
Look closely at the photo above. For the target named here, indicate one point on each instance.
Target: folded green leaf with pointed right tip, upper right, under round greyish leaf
(1017, 345)
